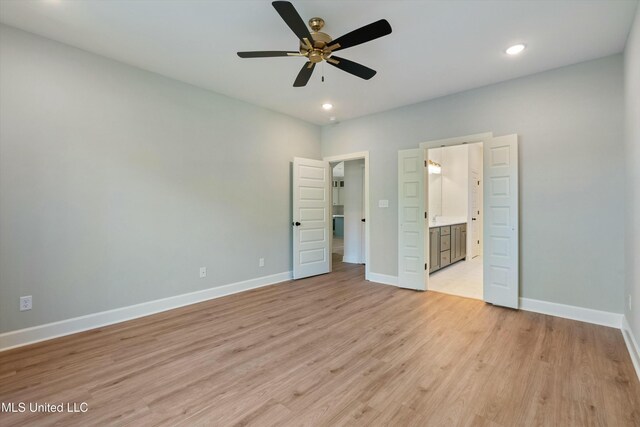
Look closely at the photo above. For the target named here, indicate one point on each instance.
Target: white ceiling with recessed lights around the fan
(436, 48)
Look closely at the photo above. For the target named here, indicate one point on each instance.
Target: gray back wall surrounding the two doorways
(570, 127)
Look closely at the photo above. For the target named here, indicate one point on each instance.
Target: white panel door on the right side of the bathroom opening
(501, 259)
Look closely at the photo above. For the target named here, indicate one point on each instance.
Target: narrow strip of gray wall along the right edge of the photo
(632, 155)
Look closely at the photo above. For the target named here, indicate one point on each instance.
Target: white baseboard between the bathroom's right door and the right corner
(588, 315)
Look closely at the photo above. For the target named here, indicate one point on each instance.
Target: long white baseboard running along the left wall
(48, 331)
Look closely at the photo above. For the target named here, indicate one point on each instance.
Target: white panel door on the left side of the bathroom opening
(413, 245)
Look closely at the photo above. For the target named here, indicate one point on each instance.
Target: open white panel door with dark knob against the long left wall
(311, 217)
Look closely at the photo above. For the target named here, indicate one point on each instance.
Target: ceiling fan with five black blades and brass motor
(317, 46)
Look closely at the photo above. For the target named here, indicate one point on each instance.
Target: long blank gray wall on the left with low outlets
(117, 184)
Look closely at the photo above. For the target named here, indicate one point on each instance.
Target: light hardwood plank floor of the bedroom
(331, 350)
